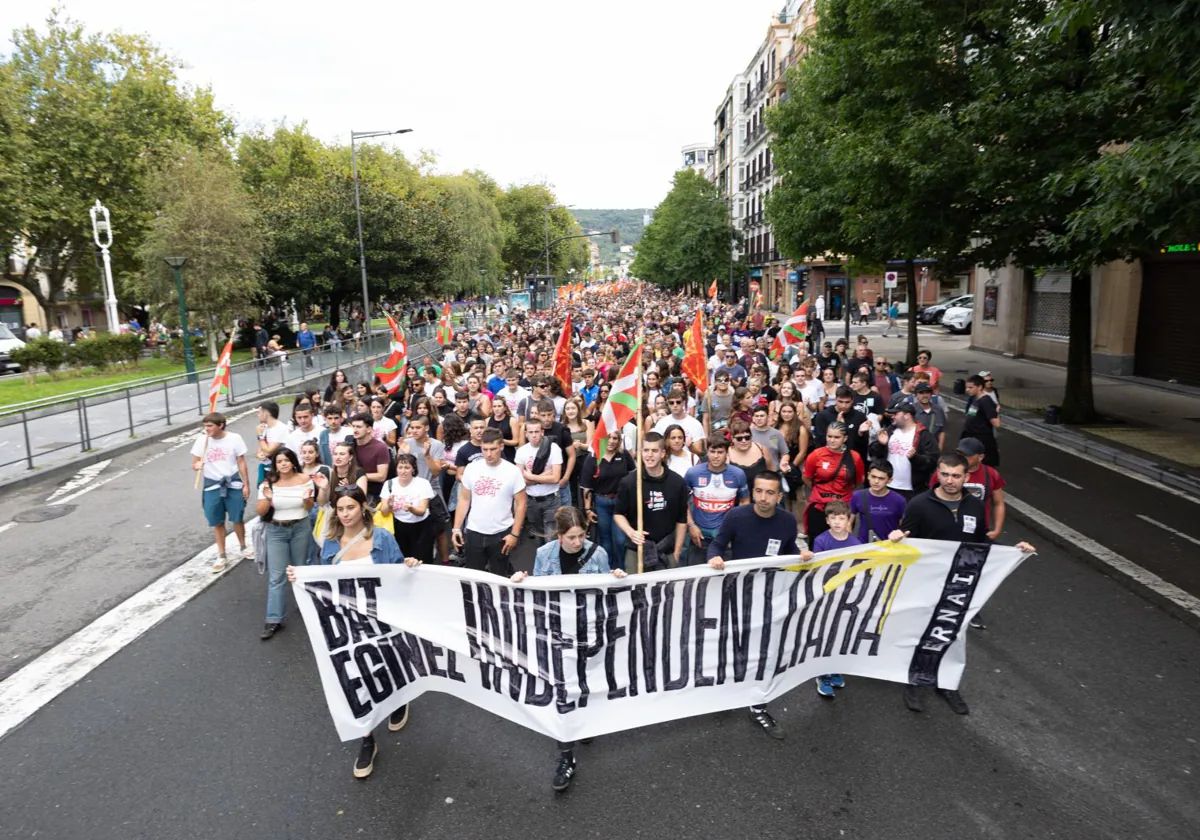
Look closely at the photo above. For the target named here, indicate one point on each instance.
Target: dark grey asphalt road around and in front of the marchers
(1084, 707)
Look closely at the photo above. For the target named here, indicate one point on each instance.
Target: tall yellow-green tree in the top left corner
(93, 117)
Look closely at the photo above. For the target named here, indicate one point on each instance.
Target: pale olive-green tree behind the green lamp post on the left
(207, 217)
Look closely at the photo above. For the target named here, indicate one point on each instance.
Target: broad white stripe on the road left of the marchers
(61, 668)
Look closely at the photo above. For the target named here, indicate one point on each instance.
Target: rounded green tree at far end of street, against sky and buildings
(688, 242)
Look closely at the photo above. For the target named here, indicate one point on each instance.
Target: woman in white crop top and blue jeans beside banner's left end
(284, 502)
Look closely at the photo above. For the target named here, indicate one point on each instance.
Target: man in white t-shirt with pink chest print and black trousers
(491, 506)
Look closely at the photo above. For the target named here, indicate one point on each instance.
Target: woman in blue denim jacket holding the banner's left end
(355, 539)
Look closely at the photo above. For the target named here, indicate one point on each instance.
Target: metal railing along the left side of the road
(93, 419)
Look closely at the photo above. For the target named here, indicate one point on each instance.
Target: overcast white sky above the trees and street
(596, 99)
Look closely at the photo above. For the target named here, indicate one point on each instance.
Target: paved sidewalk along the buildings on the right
(1145, 419)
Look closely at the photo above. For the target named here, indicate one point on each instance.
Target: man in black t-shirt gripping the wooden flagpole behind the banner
(664, 509)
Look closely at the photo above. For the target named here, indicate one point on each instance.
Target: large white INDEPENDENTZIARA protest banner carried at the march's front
(581, 656)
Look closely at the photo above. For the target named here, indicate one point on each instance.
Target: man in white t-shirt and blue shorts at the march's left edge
(221, 455)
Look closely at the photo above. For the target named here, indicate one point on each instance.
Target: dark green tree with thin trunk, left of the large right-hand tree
(871, 142)
